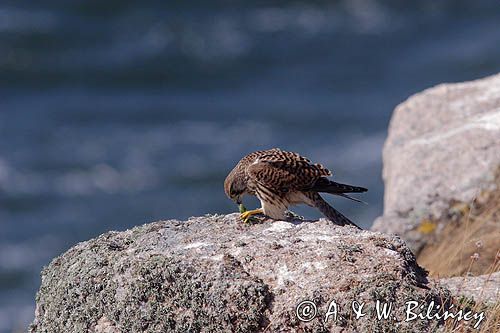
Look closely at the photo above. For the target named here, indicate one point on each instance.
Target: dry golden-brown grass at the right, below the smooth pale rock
(468, 245)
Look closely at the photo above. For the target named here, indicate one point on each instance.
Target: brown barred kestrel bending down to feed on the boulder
(281, 179)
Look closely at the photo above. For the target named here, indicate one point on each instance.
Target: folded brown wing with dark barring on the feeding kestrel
(282, 171)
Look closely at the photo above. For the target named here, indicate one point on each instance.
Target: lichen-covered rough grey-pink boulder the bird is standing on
(216, 274)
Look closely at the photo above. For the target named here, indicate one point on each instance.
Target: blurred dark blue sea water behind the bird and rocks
(118, 113)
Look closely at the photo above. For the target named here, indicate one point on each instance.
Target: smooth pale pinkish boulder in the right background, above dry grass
(443, 145)
